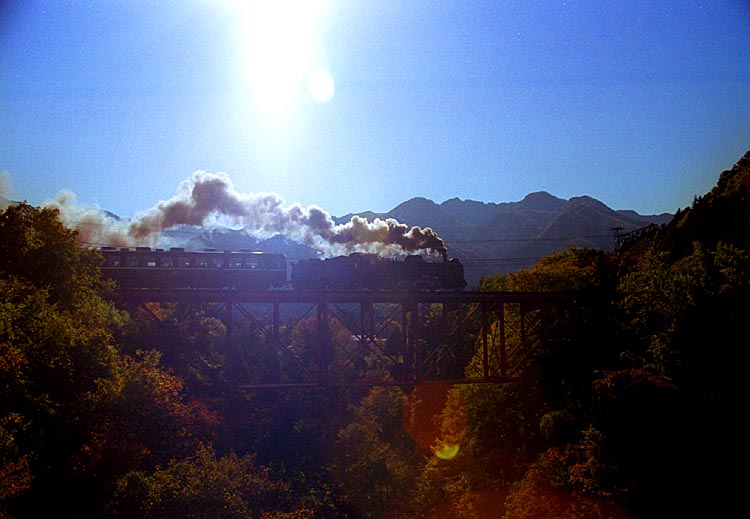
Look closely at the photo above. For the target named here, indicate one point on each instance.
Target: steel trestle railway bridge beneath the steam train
(389, 338)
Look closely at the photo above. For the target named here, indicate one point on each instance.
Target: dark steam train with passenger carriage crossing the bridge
(144, 267)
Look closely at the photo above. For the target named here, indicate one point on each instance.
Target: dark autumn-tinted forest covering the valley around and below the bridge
(631, 409)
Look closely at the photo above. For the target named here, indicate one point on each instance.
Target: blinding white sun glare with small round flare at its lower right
(283, 53)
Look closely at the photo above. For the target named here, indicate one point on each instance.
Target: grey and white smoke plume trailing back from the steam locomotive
(209, 199)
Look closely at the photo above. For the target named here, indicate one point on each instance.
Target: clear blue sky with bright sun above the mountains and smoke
(639, 104)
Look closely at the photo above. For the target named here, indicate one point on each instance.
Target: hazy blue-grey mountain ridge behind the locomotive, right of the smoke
(499, 238)
